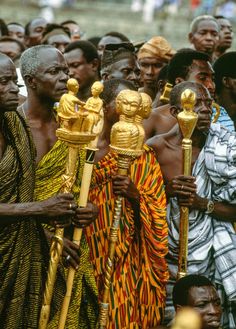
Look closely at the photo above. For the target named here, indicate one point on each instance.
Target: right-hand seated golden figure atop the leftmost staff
(92, 109)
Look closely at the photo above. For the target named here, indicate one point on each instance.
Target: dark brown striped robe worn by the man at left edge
(22, 264)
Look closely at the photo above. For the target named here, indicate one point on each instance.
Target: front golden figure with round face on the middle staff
(125, 133)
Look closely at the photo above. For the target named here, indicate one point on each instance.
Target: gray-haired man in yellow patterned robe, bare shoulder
(46, 73)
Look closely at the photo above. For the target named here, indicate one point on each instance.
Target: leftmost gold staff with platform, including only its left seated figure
(69, 119)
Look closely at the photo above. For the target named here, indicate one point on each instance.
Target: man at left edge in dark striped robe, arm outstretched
(23, 248)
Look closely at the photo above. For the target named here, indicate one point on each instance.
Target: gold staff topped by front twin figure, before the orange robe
(125, 141)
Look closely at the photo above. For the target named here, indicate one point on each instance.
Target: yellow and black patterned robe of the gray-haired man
(83, 310)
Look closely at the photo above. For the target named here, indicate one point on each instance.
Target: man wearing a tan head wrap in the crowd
(152, 56)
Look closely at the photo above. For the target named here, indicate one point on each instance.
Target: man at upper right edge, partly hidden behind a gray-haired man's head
(225, 36)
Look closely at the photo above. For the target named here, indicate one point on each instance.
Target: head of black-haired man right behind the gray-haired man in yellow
(83, 61)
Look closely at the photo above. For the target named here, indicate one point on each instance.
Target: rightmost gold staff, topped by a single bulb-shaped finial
(187, 120)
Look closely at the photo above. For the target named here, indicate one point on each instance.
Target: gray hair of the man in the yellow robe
(30, 61)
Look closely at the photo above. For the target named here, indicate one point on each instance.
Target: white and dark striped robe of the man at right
(212, 243)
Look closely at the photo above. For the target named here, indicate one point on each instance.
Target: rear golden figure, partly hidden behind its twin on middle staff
(143, 113)
